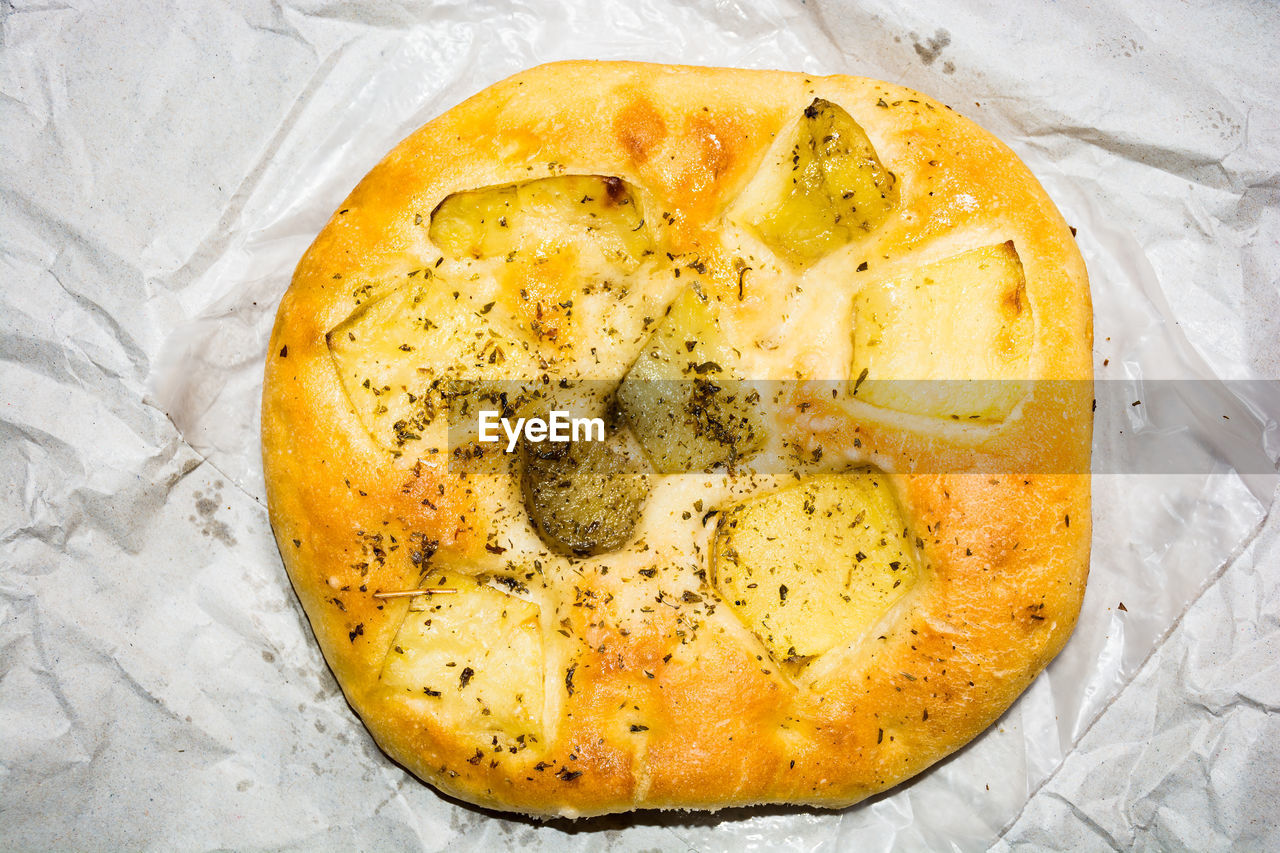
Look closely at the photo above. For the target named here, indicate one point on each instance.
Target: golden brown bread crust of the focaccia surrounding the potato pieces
(678, 708)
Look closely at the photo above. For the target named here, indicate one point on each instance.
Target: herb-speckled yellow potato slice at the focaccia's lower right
(816, 565)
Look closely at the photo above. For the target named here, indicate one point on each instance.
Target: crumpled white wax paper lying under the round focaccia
(164, 167)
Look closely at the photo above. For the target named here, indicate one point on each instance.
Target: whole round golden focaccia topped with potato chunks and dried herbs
(829, 514)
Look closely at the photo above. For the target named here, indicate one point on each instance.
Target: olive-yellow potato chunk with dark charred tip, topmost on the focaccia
(830, 189)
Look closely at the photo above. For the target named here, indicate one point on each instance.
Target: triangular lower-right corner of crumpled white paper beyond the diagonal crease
(1200, 768)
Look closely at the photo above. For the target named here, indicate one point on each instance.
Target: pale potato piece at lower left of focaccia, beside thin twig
(474, 658)
